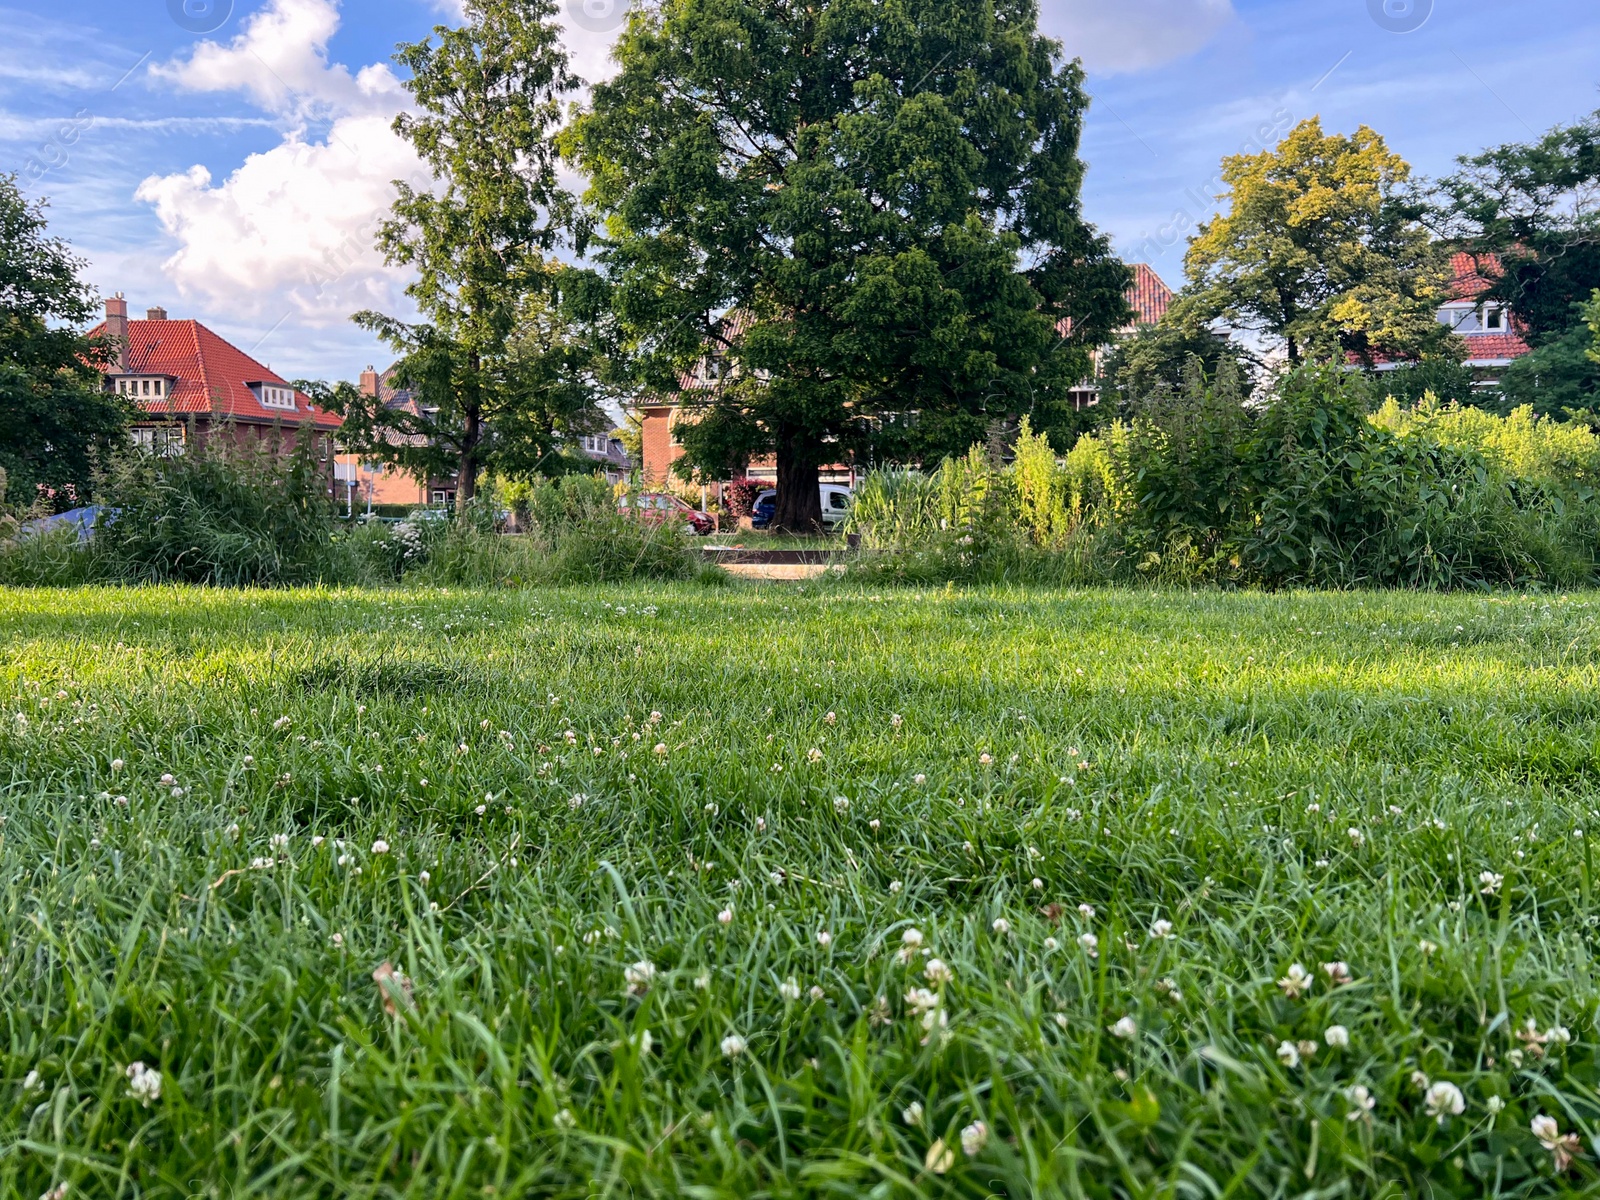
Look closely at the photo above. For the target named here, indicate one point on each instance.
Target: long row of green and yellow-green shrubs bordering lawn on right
(1305, 490)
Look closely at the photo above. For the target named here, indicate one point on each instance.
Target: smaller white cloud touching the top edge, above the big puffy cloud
(281, 62)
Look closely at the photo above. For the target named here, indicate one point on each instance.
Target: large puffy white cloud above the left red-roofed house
(292, 230)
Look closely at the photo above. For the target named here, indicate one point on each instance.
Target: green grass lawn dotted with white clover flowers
(945, 894)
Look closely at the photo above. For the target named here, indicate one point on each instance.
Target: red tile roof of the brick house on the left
(210, 374)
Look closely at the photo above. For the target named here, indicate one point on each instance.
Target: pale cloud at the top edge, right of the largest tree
(1116, 36)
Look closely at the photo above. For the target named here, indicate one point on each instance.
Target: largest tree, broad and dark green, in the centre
(865, 217)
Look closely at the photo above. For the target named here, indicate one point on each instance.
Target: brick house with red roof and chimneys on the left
(190, 383)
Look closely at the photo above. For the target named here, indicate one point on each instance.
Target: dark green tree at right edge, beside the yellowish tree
(1537, 207)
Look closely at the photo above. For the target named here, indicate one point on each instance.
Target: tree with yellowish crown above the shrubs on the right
(1322, 250)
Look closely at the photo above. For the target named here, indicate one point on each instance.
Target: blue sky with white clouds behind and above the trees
(230, 161)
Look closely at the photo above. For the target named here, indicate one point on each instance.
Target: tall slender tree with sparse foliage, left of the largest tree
(489, 100)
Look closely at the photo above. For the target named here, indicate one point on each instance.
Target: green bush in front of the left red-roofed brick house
(218, 514)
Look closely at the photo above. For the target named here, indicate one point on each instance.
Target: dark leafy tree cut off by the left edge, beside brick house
(57, 418)
